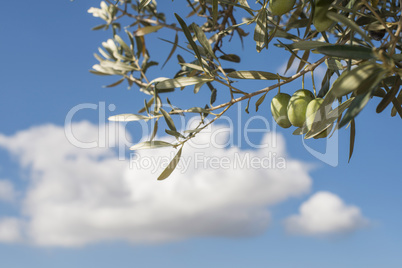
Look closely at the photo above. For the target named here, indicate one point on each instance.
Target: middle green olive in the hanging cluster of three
(298, 105)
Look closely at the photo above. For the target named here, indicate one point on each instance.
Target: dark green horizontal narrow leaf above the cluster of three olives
(347, 52)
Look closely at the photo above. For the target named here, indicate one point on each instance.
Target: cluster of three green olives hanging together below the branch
(298, 110)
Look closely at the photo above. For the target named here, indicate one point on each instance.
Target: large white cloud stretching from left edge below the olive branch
(80, 196)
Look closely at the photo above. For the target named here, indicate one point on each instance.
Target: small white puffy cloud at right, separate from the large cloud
(324, 214)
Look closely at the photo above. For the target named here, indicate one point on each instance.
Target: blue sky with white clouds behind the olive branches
(62, 206)
